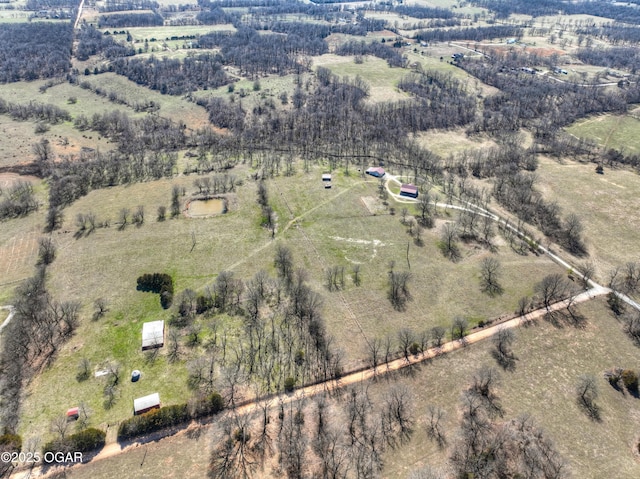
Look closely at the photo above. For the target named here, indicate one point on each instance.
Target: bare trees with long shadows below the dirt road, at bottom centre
(319, 438)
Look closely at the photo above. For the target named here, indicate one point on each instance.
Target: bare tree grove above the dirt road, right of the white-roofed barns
(284, 344)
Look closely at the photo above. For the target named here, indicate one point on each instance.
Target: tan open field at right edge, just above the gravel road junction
(607, 204)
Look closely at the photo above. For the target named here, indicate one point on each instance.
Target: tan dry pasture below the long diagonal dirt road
(550, 362)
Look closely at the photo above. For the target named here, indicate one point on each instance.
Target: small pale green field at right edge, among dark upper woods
(610, 131)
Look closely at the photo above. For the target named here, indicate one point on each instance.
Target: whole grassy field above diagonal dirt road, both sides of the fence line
(334, 228)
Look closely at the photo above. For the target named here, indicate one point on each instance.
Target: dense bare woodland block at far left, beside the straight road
(29, 51)
